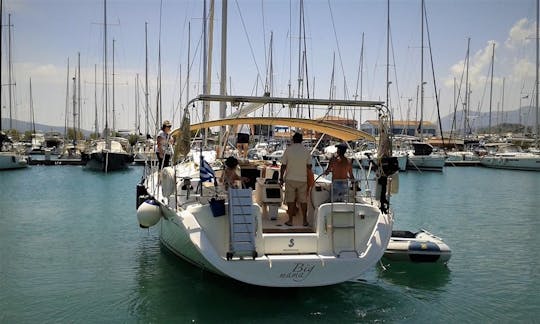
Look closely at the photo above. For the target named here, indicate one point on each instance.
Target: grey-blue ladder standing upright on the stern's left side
(242, 224)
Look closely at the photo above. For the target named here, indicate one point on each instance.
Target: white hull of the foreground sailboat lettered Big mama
(186, 237)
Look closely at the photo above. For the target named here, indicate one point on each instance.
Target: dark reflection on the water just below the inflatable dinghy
(424, 276)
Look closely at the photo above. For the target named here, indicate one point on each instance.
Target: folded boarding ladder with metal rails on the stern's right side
(342, 216)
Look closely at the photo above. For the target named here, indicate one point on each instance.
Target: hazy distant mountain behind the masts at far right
(481, 120)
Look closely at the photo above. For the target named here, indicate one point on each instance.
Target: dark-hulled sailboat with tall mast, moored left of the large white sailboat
(110, 153)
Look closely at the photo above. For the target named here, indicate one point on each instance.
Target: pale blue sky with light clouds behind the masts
(45, 34)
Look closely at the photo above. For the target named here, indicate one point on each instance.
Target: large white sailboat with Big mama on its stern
(239, 233)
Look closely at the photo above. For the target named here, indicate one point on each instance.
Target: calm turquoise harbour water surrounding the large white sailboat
(71, 251)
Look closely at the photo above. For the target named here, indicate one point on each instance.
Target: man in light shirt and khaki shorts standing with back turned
(295, 163)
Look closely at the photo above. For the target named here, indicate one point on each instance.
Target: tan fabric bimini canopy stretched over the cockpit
(335, 130)
